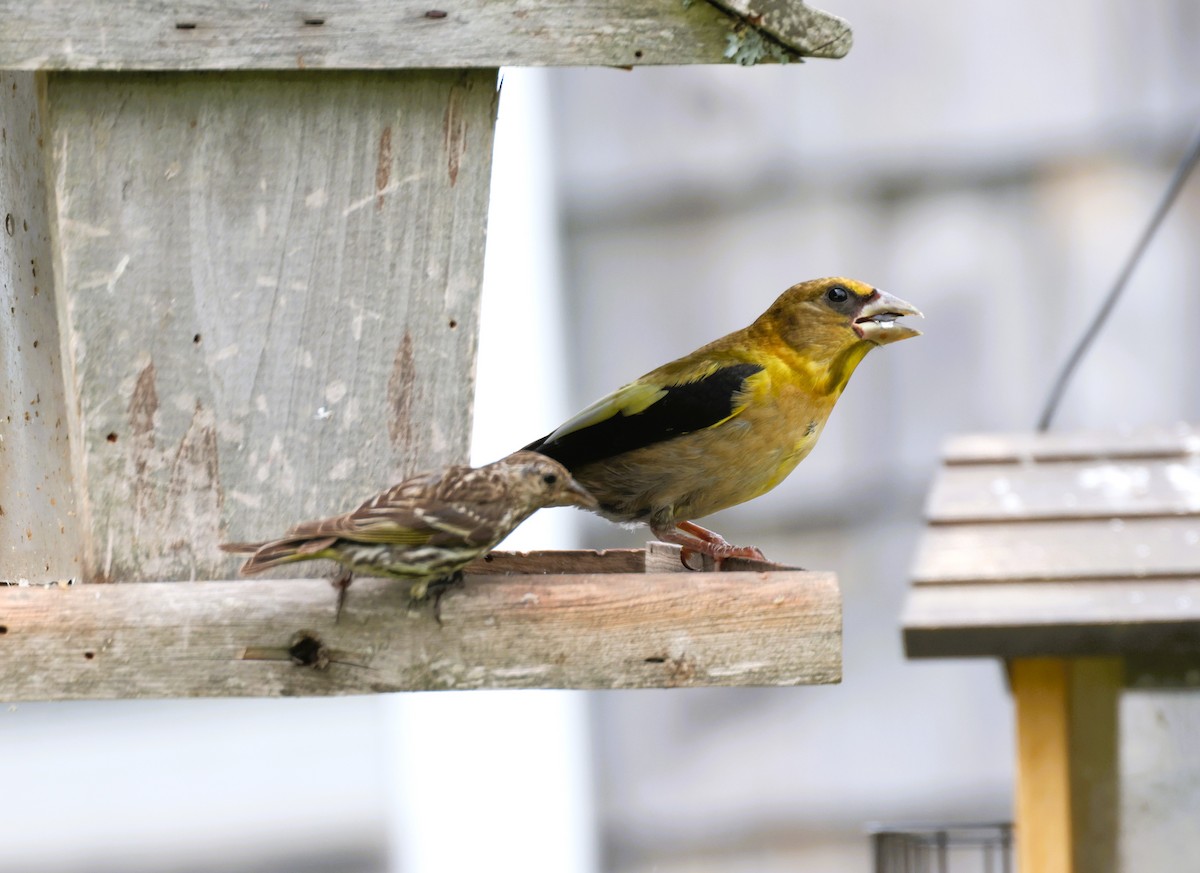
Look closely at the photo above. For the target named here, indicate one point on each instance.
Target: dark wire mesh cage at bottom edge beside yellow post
(958, 848)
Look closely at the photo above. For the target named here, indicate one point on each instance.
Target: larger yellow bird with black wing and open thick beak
(729, 422)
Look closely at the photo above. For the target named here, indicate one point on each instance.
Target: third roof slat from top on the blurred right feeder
(1070, 550)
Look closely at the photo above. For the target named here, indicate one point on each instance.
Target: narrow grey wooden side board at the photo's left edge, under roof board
(40, 535)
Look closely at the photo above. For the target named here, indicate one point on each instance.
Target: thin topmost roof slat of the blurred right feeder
(1161, 442)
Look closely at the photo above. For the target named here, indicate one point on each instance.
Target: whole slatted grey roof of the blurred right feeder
(1061, 545)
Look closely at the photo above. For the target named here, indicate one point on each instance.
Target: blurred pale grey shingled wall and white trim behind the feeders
(989, 162)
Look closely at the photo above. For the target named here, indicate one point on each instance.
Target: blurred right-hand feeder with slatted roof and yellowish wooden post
(1076, 558)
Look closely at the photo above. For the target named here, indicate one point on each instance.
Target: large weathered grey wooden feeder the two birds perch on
(241, 269)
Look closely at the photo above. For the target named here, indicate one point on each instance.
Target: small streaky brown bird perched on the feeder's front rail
(428, 528)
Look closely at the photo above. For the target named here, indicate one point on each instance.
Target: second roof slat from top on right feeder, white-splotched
(1067, 490)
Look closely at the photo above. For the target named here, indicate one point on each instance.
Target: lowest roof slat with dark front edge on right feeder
(1053, 619)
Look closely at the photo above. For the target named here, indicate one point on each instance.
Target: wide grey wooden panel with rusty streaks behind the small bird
(272, 285)
